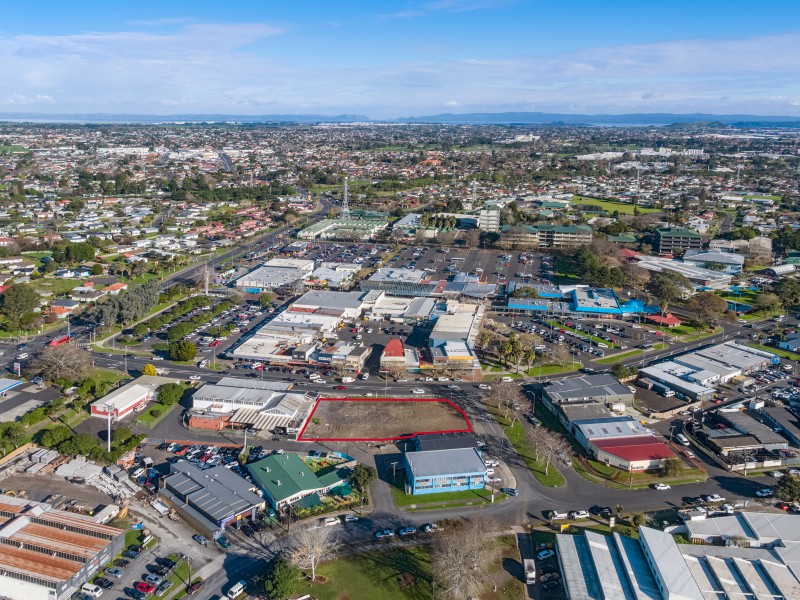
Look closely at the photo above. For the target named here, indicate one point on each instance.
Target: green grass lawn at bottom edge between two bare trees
(392, 574)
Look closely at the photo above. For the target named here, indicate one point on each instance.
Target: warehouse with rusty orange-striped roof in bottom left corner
(48, 554)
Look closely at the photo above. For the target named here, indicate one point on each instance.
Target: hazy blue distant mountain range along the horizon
(485, 118)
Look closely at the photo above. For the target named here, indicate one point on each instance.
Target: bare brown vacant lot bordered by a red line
(381, 419)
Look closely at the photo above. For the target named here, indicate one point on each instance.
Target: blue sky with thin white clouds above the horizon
(387, 59)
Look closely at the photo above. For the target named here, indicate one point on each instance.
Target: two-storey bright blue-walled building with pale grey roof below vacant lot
(449, 470)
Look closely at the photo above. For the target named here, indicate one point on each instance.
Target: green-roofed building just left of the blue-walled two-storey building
(286, 478)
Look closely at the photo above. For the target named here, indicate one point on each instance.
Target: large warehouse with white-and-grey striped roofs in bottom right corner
(655, 567)
